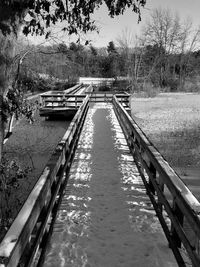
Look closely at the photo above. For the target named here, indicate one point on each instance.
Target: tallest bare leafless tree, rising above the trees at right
(162, 31)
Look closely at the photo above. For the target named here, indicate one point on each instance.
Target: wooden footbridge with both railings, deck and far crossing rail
(99, 197)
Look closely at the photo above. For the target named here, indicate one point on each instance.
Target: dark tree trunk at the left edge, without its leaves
(10, 20)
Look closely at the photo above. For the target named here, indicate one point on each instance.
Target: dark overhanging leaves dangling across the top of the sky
(76, 14)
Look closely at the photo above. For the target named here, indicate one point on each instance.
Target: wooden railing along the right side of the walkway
(166, 190)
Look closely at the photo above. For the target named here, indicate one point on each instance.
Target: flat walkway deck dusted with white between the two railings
(105, 218)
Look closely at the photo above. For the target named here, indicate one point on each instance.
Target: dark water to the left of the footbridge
(31, 145)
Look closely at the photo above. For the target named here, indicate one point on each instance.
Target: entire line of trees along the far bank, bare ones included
(166, 55)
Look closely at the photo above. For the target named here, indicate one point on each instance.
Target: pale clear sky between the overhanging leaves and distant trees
(111, 29)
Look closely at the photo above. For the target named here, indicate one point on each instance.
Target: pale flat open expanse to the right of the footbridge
(172, 123)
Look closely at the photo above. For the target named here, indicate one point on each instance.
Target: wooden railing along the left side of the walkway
(29, 230)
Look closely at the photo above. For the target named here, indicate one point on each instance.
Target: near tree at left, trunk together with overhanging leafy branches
(41, 15)
